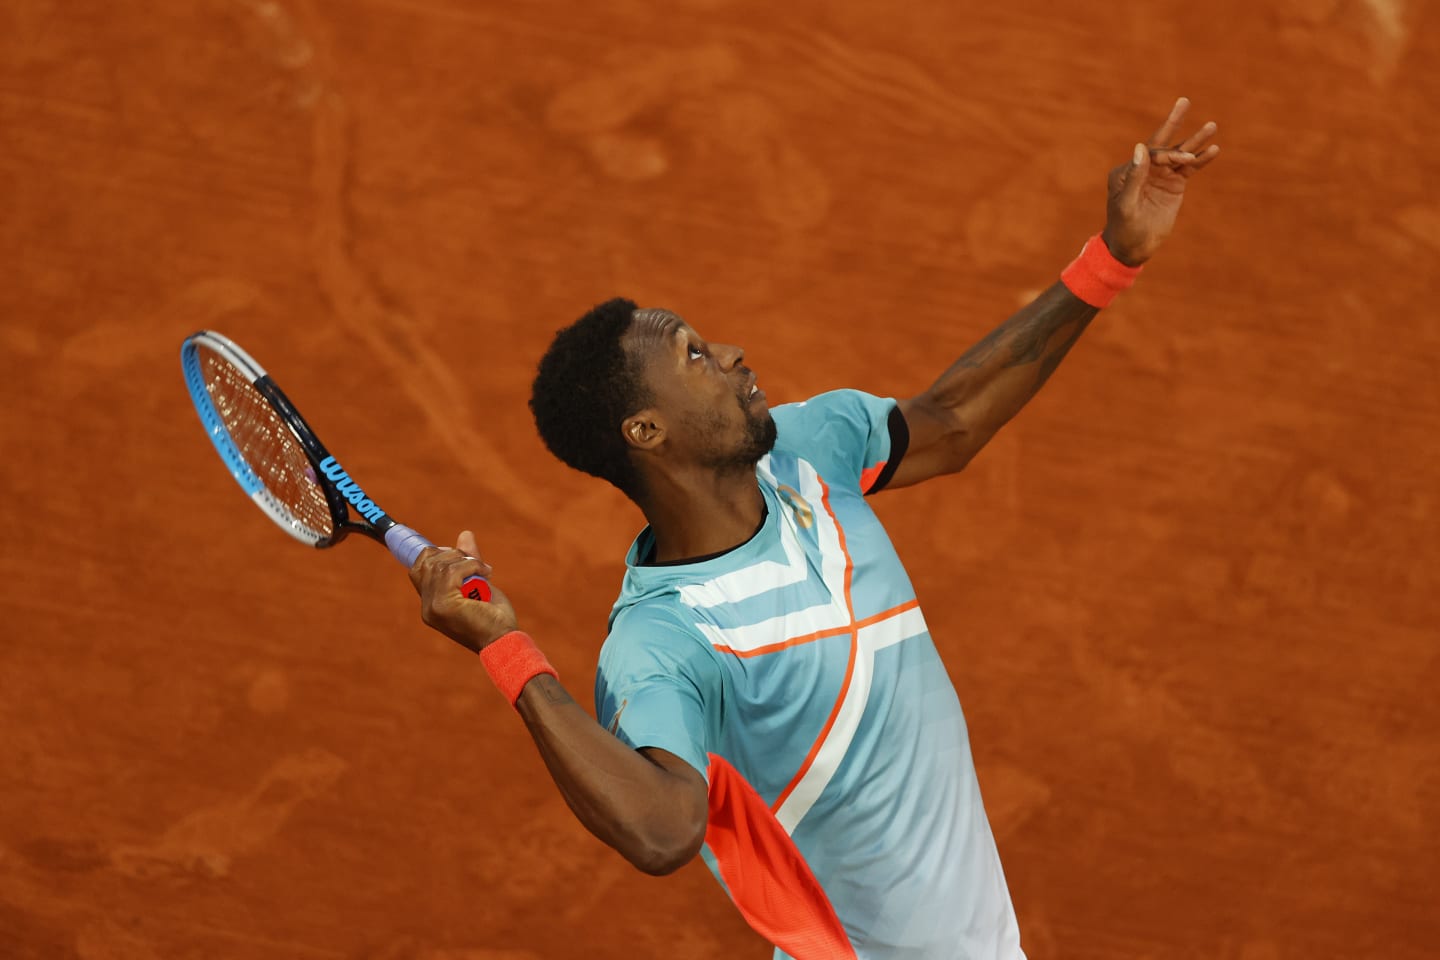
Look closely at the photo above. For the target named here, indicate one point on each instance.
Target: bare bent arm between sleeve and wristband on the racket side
(621, 797)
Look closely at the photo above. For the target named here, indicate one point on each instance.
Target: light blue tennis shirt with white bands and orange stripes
(797, 674)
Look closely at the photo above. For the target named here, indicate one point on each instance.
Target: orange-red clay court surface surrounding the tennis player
(1190, 598)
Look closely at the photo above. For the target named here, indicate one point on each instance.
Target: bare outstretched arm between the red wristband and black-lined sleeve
(996, 378)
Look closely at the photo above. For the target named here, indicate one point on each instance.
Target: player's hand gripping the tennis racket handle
(438, 575)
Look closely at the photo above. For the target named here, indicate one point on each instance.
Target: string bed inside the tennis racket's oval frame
(267, 444)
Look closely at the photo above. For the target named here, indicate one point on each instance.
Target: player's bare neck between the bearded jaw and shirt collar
(701, 513)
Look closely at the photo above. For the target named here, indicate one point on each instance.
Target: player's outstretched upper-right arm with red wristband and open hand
(994, 379)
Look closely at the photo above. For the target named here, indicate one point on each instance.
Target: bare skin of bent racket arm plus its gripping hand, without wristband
(649, 805)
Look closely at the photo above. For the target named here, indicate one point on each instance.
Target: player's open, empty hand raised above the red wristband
(1146, 194)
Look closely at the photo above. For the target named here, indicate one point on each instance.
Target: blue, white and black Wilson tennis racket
(280, 463)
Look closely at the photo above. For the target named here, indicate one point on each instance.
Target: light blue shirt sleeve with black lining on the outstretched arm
(847, 434)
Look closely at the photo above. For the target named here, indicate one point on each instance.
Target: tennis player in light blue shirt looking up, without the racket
(768, 696)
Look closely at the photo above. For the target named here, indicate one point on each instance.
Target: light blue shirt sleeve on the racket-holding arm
(657, 686)
